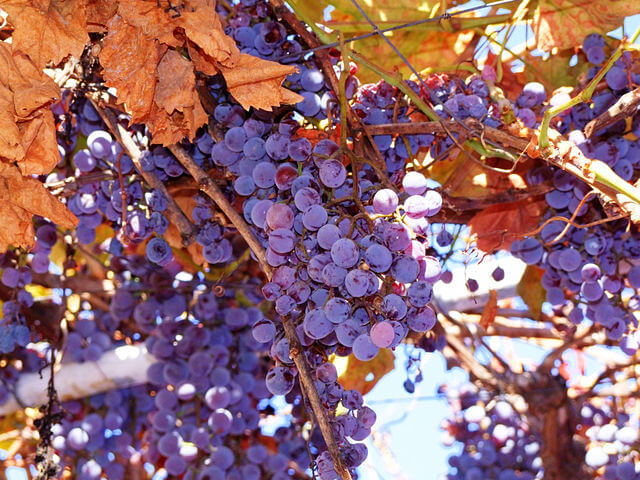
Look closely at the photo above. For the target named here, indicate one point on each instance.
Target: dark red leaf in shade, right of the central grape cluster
(498, 226)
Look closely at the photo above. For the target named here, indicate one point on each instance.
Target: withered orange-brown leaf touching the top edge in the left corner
(47, 30)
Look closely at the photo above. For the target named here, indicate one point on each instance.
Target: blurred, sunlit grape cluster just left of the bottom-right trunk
(497, 440)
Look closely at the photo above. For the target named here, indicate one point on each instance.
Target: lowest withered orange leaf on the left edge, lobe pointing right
(20, 199)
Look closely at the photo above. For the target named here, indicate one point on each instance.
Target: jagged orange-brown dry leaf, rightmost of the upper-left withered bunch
(257, 83)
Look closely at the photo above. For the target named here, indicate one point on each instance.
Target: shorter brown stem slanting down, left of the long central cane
(187, 229)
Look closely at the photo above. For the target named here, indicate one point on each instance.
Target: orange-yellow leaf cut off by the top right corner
(565, 23)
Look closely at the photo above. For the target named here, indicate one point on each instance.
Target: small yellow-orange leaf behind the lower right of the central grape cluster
(353, 373)
